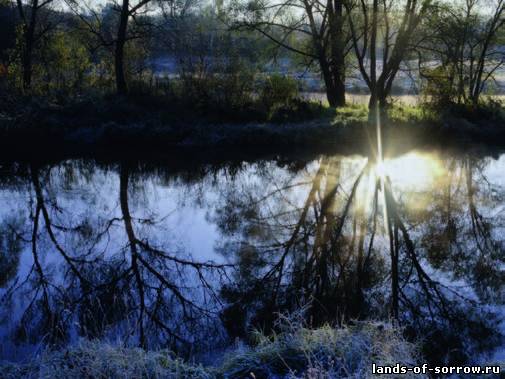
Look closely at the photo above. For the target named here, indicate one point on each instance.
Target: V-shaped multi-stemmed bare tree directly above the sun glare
(385, 25)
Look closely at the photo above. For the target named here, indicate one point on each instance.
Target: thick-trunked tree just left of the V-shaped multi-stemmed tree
(319, 25)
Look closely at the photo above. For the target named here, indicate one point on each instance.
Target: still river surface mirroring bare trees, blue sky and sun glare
(99, 250)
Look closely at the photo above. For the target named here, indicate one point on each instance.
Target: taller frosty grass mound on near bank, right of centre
(326, 352)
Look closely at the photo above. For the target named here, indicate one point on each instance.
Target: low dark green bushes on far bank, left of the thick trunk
(228, 87)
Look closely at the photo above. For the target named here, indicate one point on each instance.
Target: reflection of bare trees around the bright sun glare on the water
(352, 250)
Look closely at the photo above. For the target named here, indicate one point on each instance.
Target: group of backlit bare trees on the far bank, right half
(456, 47)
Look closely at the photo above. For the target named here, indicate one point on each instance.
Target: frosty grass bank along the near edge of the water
(326, 352)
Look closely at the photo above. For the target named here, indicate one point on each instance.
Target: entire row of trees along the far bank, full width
(452, 49)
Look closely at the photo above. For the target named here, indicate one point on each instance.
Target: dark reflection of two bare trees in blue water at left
(101, 274)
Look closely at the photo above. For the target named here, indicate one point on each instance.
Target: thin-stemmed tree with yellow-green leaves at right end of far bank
(465, 43)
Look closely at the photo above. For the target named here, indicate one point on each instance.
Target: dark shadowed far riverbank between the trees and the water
(122, 126)
